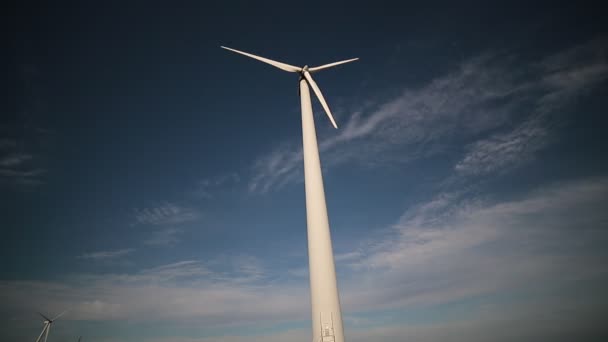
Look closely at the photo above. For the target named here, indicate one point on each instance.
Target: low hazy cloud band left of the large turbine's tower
(185, 290)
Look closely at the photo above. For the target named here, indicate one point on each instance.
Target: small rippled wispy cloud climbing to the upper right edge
(563, 78)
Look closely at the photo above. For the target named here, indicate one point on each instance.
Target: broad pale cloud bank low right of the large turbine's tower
(450, 248)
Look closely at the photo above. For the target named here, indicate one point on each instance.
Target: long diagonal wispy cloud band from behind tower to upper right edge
(486, 94)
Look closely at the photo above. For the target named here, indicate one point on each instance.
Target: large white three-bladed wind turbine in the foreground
(326, 313)
